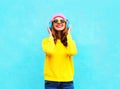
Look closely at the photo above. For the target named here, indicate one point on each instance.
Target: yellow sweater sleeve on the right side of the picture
(71, 48)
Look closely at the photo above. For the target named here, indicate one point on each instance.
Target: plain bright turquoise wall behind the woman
(95, 28)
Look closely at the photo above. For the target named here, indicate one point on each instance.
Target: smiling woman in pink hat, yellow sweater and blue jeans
(59, 48)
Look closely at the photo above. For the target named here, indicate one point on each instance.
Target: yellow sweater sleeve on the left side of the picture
(48, 45)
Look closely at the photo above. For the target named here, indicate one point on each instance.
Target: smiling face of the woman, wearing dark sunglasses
(59, 24)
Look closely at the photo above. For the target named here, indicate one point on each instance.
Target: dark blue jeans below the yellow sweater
(58, 85)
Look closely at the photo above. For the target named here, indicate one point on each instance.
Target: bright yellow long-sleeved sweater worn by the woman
(58, 61)
